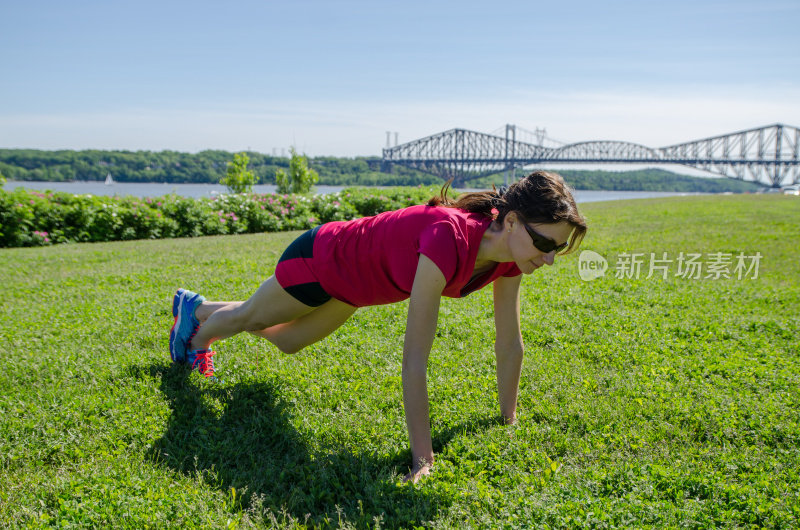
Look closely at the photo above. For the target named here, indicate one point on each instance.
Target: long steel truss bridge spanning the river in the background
(769, 155)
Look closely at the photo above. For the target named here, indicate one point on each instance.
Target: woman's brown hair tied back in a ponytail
(541, 197)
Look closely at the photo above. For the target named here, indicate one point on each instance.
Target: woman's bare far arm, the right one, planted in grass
(508, 346)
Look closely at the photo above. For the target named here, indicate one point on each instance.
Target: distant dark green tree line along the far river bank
(210, 166)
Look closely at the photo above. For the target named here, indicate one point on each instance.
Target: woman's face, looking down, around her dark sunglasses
(521, 244)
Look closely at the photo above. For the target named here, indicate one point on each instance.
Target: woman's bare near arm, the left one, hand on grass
(423, 314)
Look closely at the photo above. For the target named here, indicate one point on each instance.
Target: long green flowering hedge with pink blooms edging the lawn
(32, 218)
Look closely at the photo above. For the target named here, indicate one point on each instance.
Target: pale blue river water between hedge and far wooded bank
(144, 189)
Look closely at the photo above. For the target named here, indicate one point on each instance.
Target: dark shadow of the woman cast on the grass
(240, 436)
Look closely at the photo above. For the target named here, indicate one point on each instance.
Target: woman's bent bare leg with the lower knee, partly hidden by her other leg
(293, 336)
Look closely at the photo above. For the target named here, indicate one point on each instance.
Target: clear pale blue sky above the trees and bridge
(332, 77)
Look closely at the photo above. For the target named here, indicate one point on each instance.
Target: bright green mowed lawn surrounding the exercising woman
(643, 402)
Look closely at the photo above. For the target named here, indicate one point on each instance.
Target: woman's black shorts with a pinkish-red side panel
(295, 272)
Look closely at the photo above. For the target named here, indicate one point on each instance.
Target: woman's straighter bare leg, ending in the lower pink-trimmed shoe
(269, 306)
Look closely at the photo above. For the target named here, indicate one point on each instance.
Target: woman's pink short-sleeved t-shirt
(373, 260)
